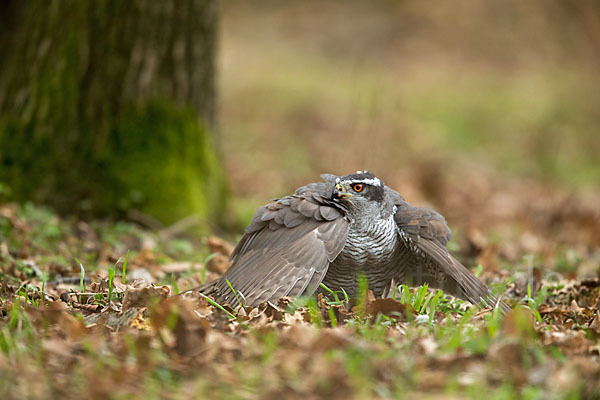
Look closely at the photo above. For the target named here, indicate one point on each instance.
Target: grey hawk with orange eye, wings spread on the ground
(331, 232)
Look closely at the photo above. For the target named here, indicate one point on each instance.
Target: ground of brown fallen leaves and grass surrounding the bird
(87, 310)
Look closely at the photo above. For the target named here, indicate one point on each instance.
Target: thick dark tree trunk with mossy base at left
(108, 105)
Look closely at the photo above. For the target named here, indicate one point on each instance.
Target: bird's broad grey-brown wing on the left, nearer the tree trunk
(285, 250)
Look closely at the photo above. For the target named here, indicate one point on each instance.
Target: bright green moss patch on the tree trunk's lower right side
(163, 162)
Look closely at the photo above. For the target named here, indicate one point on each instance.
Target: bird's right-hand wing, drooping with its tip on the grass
(424, 234)
